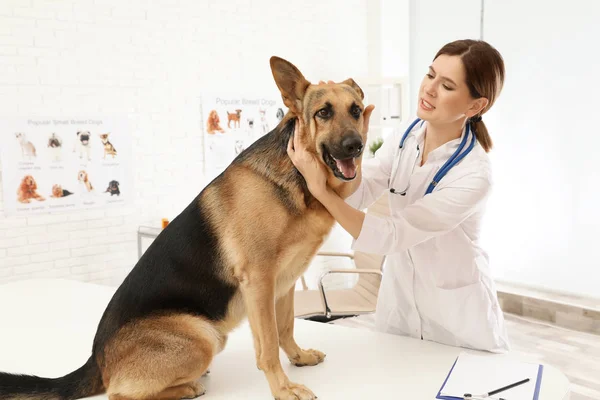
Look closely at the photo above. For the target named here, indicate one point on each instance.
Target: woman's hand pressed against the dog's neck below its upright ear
(313, 171)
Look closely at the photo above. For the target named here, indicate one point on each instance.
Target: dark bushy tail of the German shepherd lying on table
(83, 382)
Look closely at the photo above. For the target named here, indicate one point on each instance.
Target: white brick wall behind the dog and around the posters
(150, 61)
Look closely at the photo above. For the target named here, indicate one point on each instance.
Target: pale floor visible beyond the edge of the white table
(576, 354)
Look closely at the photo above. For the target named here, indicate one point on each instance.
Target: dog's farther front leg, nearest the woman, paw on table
(285, 327)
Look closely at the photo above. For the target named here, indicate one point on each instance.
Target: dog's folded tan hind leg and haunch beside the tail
(159, 358)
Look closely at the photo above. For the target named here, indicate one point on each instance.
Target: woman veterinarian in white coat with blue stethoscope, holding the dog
(436, 281)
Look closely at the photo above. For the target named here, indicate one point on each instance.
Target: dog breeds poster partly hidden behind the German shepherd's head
(248, 117)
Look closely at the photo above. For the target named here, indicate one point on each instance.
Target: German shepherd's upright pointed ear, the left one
(291, 83)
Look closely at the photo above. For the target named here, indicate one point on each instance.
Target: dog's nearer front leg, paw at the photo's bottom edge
(258, 291)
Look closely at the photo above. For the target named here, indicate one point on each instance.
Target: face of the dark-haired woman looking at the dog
(444, 96)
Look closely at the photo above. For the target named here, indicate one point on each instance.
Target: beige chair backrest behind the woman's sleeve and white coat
(368, 284)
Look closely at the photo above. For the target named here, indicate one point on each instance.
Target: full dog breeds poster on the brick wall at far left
(55, 165)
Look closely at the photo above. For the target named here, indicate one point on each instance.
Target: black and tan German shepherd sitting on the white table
(235, 251)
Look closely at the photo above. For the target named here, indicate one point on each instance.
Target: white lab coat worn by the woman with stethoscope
(436, 281)
